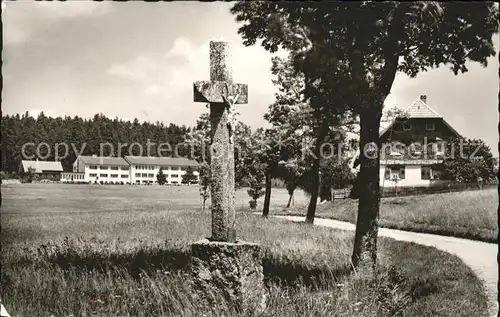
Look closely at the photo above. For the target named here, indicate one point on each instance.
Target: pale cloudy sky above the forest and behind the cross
(138, 59)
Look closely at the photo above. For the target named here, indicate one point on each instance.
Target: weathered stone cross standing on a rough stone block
(222, 94)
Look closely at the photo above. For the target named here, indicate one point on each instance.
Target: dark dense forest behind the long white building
(83, 136)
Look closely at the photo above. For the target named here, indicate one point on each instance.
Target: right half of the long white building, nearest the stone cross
(143, 170)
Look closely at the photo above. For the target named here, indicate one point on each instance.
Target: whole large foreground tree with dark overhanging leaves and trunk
(361, 46)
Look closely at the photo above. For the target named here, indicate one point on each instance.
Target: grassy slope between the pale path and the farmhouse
(468, 214)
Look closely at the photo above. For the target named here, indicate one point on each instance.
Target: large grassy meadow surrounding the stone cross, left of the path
(122, 251)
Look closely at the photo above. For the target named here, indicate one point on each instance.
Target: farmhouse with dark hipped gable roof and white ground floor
(414, 146)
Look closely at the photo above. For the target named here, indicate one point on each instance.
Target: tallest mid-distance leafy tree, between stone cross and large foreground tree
(301, 120)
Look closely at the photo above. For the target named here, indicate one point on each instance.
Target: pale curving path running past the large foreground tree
(480, 256)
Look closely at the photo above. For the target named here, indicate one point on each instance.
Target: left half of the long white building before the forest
(103, 170)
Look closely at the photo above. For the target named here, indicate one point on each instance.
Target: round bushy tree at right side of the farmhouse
(468, 161)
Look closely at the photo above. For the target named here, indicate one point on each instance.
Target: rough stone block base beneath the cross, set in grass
(229, 274)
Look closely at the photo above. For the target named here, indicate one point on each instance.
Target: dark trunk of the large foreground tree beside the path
(365, 242)
